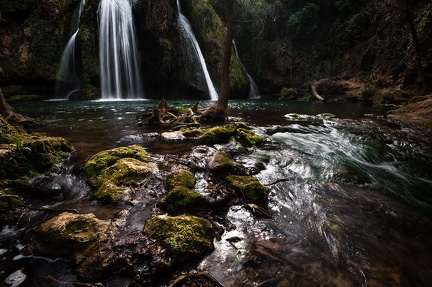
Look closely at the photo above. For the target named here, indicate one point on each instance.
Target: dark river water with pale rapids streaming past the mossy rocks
(350, 196)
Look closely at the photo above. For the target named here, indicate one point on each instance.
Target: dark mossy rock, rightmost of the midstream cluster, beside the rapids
(249, 188)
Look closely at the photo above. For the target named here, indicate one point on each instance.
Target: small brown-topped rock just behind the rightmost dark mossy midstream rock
(220, 166)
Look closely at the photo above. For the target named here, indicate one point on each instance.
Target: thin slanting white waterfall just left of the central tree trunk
(187, 28)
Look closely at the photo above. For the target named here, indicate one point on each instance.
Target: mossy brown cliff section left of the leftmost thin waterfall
(32, 37)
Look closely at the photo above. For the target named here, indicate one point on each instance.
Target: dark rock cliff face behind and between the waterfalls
(33, 35)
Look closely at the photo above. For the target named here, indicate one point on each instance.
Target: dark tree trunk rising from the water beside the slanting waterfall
(219, 110)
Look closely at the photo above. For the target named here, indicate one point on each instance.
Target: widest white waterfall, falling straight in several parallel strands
(118, 53)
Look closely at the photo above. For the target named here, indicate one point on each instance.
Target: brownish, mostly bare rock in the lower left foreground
(75, 236)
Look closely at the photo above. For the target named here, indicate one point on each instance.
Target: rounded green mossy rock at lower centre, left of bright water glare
(186, 237)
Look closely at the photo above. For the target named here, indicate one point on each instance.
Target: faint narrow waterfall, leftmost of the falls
(68, 80)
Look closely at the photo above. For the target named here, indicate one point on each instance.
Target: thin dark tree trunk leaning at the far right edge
(416, 47)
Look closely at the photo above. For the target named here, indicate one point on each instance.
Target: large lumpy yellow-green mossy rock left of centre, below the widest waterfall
(114, 172)
